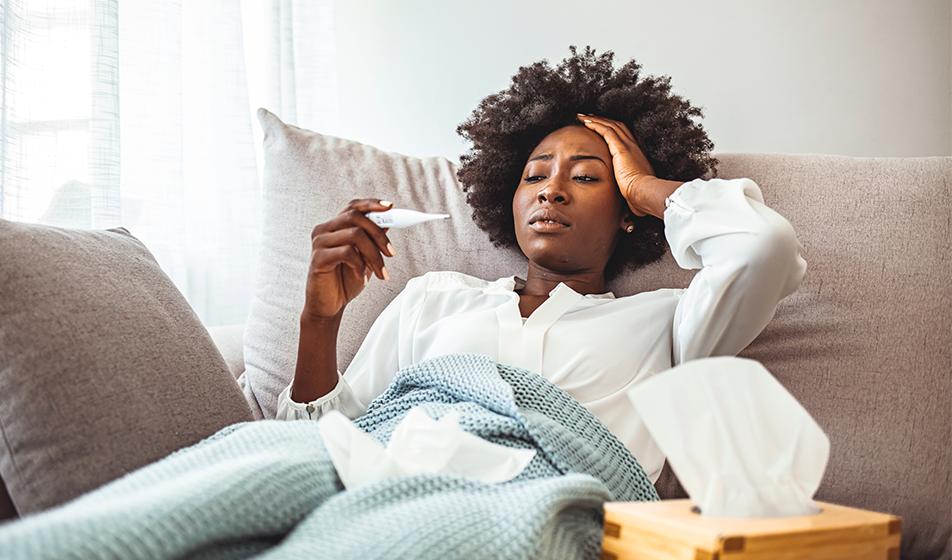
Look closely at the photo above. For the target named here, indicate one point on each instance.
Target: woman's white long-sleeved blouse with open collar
(594, 346)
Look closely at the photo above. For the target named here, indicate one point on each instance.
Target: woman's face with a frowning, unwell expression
(570, 174)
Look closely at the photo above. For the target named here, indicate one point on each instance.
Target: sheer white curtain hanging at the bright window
(141, 114)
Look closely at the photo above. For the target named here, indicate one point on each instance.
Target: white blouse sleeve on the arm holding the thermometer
(373, 366)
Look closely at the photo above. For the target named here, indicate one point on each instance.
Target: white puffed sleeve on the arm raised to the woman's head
(749, 260)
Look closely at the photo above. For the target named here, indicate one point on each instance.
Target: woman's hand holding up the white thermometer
(345, 251)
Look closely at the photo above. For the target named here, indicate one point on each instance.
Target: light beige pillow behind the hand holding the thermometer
(308, 179)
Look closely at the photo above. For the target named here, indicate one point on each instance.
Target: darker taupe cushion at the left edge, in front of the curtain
(104, 367)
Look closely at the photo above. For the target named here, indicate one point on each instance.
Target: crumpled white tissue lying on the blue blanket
(418, 444)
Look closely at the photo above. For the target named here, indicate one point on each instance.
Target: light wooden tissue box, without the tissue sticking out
(672, 529)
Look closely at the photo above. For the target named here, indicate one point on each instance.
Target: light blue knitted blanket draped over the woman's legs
(268, 489)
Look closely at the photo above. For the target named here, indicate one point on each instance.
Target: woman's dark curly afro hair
(507, 126)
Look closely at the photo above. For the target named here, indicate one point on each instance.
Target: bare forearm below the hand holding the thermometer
(316, 371)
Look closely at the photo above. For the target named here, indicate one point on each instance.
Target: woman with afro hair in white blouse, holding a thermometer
(584, 200)
